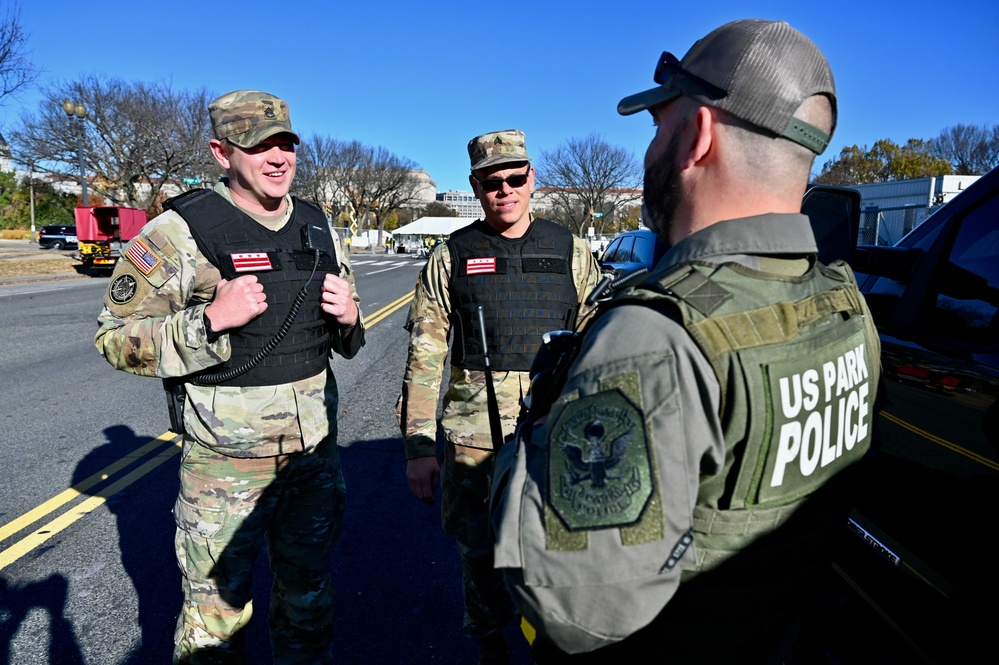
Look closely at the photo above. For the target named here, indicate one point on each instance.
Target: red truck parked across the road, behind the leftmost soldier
(102, 230)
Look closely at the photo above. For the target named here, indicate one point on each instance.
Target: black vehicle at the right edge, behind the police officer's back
(920, 580)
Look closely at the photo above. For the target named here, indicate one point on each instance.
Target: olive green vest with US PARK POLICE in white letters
(798, 362)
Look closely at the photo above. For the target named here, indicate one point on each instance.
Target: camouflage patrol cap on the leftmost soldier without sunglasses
(247, 117)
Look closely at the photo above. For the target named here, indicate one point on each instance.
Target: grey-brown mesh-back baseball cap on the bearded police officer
(759, 71)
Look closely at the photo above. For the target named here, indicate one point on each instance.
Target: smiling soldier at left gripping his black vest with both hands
(199, 291)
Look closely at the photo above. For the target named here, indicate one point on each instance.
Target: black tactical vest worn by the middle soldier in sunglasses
(524, 285)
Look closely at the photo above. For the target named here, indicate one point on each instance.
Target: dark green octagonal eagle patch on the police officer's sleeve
(599, 465)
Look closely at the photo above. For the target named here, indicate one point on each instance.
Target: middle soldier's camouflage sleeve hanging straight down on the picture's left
(429, 327)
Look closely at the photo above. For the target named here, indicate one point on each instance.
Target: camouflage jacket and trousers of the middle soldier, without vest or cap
(467, 472)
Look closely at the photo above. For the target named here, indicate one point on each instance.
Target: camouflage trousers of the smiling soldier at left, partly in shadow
(227, 509)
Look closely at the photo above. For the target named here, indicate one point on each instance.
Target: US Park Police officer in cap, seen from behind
(680, 483)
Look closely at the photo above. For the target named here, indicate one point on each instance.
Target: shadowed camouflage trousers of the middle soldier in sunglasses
(465, 482)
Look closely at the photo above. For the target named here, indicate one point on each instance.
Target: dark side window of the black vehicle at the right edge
(964, 293)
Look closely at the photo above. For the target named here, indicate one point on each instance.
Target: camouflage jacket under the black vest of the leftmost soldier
(146, 329)
